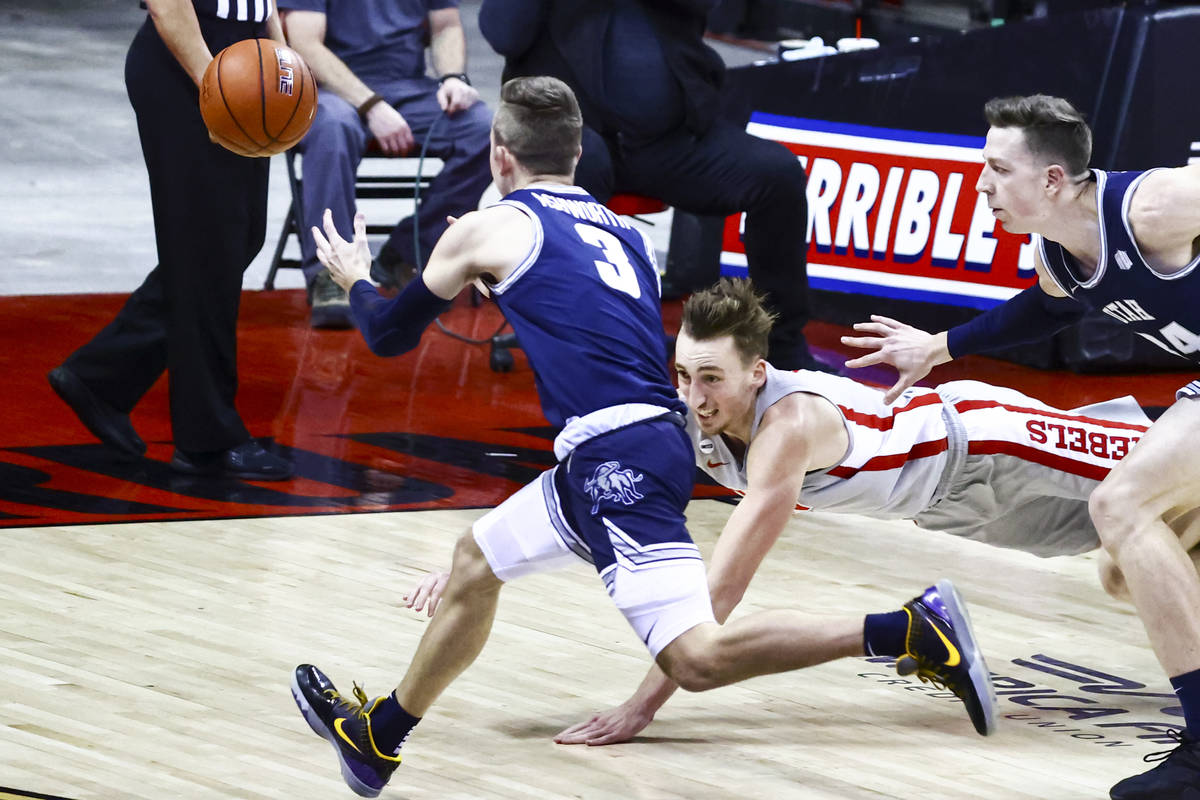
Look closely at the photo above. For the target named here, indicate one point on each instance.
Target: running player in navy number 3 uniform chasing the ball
(619, 494)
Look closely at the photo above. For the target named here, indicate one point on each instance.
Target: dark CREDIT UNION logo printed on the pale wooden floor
(1065, 700)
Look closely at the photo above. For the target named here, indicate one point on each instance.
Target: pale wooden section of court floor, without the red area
(152, 660)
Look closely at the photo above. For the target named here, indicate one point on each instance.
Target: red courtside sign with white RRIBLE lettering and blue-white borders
(895, 214)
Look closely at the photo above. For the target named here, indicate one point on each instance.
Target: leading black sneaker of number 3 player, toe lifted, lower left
(347, 726)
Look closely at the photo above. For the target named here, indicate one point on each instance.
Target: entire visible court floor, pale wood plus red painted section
(149, 625)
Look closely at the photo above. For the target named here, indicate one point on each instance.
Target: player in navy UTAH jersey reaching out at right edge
(1127, 245)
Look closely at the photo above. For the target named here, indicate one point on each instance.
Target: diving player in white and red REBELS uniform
(982, 462)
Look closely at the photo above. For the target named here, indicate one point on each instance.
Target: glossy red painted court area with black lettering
(431, 430)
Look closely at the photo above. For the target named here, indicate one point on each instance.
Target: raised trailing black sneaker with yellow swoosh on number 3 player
(941, 651)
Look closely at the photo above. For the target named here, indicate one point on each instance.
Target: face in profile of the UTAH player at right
(1013, 182)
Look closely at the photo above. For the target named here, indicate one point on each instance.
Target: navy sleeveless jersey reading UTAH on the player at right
(1165, 309)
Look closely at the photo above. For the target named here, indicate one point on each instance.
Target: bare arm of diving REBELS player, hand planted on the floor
(777, 462)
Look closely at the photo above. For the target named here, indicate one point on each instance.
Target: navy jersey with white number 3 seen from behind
(585, 306)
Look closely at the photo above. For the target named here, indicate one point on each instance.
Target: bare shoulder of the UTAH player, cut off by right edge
(1165, 216)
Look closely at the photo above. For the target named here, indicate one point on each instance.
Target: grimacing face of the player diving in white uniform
(716, 384)
